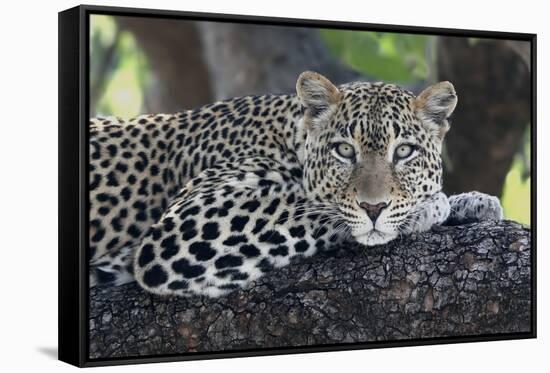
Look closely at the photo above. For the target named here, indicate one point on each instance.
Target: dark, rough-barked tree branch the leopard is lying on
(452, 281)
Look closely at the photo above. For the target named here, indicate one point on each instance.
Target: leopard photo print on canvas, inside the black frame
(257, 187)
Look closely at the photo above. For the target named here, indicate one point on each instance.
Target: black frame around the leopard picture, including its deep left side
(73, 180)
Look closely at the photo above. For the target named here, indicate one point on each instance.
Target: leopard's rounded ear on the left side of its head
(317, 93)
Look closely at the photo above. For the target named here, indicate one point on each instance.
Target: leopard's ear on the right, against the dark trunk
(434, 106)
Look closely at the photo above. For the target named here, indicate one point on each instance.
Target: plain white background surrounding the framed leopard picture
(28, 185)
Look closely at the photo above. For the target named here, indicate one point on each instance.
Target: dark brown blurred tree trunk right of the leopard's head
(493, 113)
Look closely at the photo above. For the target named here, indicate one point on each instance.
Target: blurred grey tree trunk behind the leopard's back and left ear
(246, 59)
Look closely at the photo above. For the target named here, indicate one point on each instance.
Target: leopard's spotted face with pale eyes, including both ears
(373, 152)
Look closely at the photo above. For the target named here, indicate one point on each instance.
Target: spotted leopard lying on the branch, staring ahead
(206, 201)
